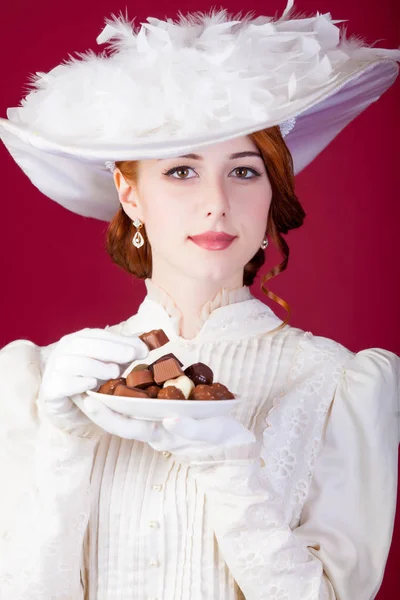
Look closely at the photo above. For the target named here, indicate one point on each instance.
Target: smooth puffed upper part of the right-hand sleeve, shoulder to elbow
(348, 517)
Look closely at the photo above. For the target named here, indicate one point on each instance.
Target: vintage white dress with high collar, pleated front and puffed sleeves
(310, 517)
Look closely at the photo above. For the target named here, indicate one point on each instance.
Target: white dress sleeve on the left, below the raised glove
(45, 502)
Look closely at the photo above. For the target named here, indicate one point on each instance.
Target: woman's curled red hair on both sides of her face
(285, 213)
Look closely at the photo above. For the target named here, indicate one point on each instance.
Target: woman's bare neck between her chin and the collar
(191, 294)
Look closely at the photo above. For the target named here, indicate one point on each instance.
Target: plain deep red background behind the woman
(341, 280)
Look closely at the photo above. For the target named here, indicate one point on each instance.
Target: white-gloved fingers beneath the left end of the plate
(125, 427)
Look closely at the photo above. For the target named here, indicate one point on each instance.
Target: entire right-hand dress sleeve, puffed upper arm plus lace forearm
(339, 549)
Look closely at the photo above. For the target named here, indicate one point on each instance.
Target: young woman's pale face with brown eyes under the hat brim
(177, 198)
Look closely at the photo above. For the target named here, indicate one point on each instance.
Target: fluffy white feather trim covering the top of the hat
(190, 76)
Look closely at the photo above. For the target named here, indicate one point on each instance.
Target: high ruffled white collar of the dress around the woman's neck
(230, 313)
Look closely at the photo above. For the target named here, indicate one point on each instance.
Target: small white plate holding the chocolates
(152, 409)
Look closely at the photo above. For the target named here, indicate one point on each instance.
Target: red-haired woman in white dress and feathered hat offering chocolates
(293, 495)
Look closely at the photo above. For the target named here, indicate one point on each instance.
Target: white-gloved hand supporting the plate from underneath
(182, 436)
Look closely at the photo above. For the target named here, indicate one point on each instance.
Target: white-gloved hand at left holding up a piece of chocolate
(78, 363)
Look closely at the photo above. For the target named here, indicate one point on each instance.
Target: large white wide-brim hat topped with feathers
(172, 87)
